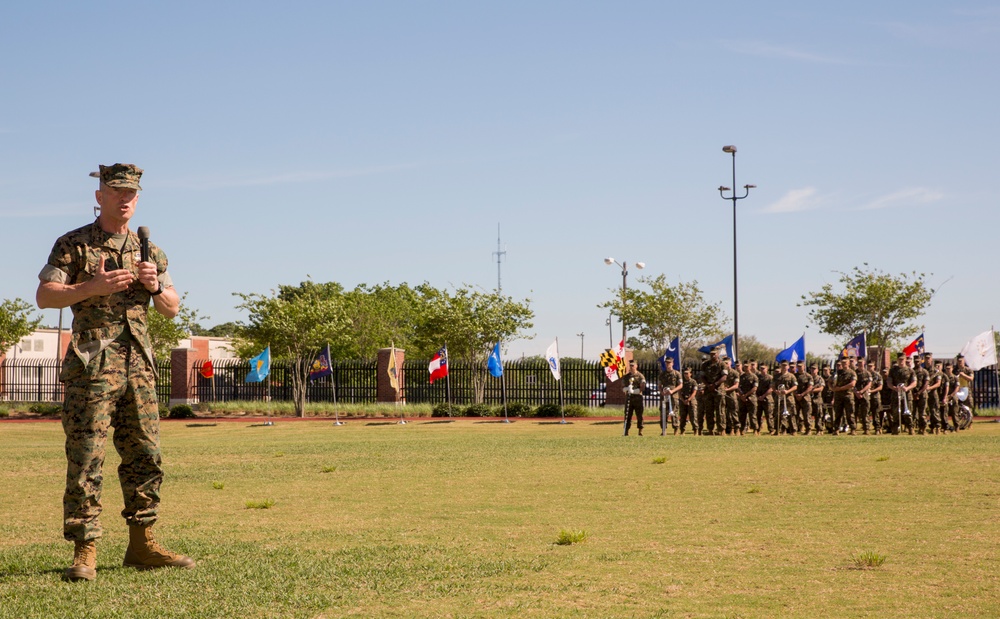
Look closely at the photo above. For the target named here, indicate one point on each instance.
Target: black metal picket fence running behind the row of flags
(354, 382)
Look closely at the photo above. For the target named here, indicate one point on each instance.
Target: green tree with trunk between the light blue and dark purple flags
(296, 322)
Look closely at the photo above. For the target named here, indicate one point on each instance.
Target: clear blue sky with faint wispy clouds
(365, 142)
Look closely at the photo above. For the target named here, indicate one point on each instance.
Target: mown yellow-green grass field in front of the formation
(441, 518)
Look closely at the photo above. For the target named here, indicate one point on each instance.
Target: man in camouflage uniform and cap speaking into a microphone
(109, 373)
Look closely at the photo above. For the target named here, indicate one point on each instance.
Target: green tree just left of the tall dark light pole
(665, 311)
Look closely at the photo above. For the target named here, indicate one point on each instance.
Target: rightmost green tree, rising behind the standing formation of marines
(882, 305)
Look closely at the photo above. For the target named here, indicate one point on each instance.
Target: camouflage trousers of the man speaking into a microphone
(121, 393)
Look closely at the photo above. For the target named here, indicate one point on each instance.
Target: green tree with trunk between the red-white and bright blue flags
(470, 323)
